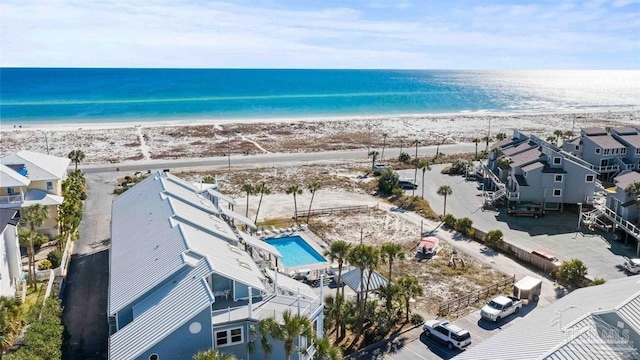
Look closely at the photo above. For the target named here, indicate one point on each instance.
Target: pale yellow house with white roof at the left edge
(28, 178)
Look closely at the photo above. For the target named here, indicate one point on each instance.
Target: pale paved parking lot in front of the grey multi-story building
(555, 233)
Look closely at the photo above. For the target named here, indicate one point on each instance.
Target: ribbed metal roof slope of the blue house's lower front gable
(173, 306)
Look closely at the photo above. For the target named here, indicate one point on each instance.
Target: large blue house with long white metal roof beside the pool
(183, 278)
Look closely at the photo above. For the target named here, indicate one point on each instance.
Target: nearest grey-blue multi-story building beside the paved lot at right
(529, 169)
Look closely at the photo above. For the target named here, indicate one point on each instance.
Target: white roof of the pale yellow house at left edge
(39, 166)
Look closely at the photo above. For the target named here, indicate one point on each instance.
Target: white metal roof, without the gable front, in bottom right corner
(543, 331)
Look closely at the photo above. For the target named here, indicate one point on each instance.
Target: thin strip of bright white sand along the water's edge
(15, 125)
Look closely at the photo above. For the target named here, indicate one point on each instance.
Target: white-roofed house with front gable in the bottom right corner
(597, 322)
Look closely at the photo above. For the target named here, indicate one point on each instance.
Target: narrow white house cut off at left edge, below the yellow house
(10, 263)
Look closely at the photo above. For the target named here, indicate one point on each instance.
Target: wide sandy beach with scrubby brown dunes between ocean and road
(123, 142)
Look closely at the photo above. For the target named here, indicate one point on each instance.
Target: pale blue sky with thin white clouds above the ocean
(373, 34)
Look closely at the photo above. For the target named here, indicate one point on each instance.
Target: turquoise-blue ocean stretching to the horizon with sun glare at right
(41, 95)
